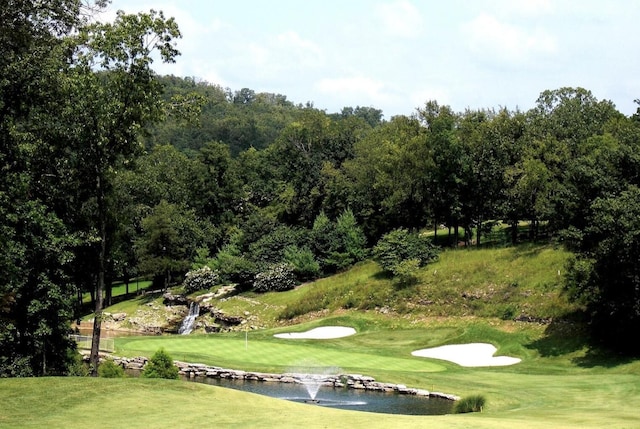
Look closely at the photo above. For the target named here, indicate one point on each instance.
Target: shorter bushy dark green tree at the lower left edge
(36, 295)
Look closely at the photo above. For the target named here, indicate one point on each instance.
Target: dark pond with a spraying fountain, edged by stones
(343, 398)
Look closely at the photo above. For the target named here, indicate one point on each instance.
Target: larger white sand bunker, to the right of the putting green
(471, 355)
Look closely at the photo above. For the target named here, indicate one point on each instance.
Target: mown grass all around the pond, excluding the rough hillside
(570, 390)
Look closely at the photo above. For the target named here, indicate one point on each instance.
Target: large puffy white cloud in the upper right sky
(488, 37)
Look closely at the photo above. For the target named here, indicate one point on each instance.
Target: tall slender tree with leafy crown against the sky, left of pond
(112, 94)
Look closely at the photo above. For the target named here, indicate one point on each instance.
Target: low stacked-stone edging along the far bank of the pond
(350, 381)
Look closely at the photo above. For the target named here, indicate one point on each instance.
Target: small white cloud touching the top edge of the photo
(400, 19)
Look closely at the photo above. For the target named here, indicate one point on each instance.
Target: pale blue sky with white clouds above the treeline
(395, 55)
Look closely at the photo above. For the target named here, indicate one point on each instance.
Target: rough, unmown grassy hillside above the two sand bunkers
(508, 283)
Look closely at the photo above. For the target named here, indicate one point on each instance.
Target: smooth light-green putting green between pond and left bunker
(261, 352)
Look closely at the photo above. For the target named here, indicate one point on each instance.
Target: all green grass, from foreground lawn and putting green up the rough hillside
(467, 296)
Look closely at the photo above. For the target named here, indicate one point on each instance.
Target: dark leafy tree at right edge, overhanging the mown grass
(605, 277)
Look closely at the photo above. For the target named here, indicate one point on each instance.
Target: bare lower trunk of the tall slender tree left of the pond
(94, 358)
